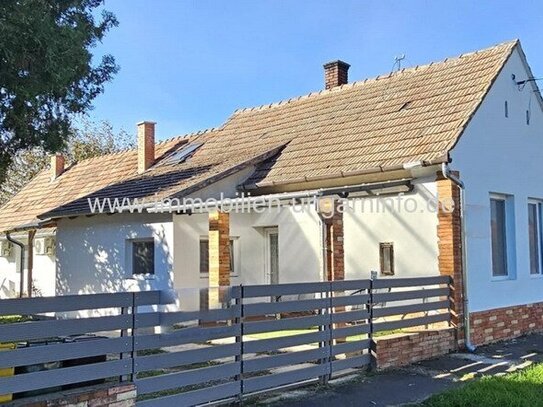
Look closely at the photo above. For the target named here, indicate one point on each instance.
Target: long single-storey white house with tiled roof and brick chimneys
(451, 148)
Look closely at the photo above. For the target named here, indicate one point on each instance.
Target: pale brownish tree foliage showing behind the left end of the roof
(87, 140)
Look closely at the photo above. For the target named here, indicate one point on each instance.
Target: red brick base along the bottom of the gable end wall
(505, 323)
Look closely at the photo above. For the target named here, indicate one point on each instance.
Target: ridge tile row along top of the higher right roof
(510, 43)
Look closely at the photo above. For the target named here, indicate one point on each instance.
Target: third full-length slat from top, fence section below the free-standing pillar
(165, 360)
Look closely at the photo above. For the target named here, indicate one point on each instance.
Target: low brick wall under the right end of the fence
(403, 349)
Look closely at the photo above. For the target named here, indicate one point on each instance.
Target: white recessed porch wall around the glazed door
(299, 249)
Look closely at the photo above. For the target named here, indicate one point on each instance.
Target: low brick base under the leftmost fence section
(116, 395)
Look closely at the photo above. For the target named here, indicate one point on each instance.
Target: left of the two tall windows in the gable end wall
(498, 227)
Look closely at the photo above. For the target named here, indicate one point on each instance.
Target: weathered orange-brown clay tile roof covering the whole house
(375, 125)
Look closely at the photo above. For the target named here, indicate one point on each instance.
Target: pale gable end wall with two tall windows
(501, 155)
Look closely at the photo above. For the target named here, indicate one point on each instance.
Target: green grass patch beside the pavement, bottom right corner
(519, 389)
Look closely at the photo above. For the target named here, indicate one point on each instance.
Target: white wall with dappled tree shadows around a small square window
(93, 254)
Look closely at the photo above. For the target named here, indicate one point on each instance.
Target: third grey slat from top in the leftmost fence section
(64, 351)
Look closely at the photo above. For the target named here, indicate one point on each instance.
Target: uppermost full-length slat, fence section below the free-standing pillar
(170, 318)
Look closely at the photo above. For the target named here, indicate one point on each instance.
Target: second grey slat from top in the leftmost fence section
(63, 327)
